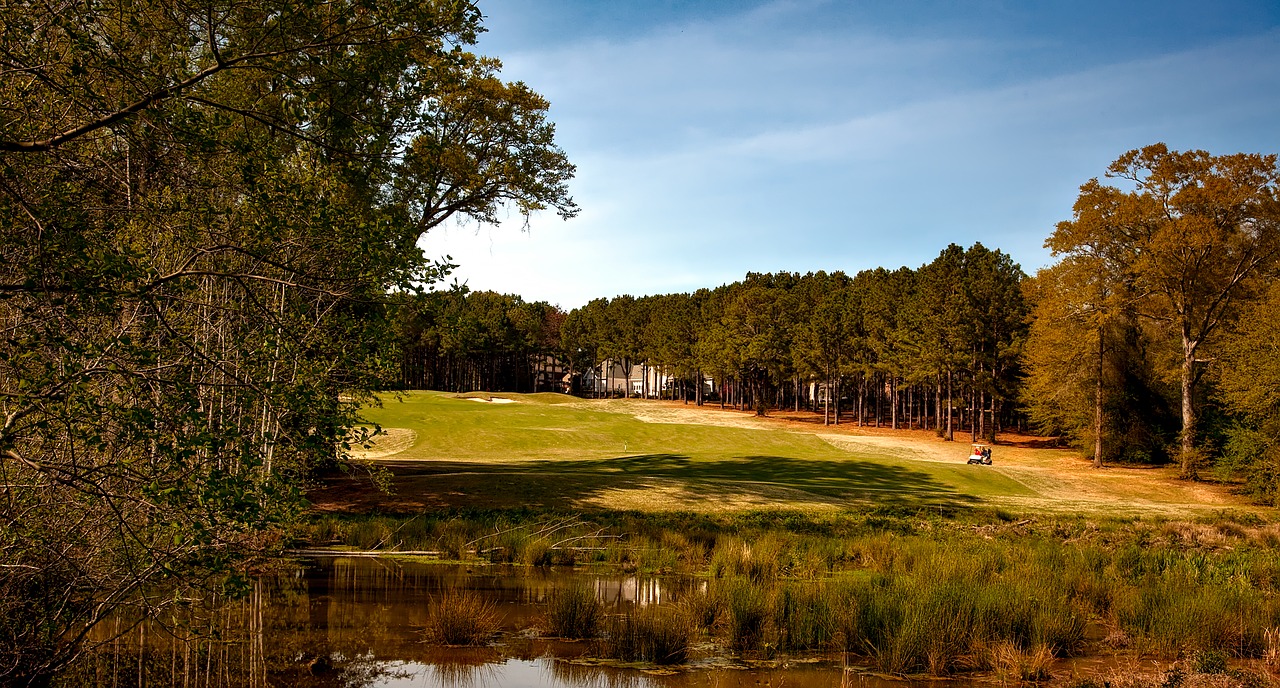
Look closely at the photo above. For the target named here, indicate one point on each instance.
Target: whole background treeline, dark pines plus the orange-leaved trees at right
(1154, 338)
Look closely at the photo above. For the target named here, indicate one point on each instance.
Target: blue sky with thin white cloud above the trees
(716, 139)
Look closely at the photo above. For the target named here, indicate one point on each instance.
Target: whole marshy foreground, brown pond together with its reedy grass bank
(973, 603)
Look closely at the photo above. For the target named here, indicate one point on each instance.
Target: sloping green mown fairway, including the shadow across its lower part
(550, 451)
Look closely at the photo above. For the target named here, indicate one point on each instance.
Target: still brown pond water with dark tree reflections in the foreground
(358, 623)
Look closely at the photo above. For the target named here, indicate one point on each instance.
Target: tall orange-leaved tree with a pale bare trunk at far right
(1195, 233)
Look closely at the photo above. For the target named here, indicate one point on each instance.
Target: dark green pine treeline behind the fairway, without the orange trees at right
(938, 347)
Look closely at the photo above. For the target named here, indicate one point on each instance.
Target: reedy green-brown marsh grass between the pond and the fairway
(909, 591)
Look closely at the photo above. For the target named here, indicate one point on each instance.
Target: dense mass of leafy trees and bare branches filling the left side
(204, 213)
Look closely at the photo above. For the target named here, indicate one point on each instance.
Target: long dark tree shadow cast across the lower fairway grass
(689, 484)
